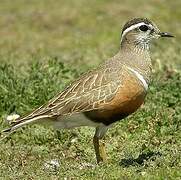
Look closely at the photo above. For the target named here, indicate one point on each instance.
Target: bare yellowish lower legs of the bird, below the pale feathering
(100, 151)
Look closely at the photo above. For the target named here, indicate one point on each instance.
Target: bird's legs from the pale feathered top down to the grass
(99, 145)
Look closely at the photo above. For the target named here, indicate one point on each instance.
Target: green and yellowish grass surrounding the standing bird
(46, 44)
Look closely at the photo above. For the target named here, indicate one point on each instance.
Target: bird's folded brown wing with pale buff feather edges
(85, 94)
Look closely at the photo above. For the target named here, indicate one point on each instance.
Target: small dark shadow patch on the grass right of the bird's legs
(140, 160)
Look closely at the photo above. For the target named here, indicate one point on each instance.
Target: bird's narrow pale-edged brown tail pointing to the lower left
(20, 123)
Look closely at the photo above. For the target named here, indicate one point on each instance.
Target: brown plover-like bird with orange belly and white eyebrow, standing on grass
(106, 94)
